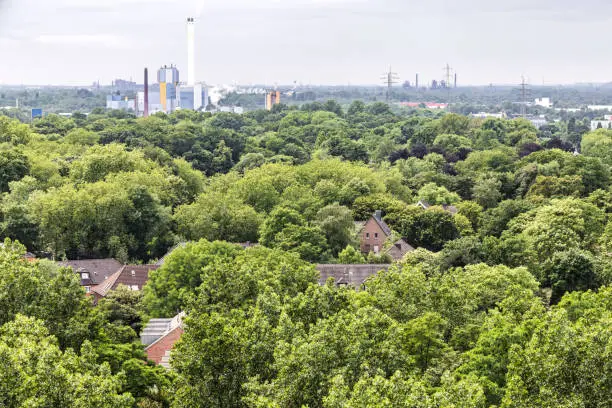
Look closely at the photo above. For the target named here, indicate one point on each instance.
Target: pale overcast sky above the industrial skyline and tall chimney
(309, 41)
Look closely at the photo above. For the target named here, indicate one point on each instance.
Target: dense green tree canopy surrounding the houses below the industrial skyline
(504, 303)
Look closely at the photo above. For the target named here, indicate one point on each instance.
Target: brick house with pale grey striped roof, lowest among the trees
(159, 337)
